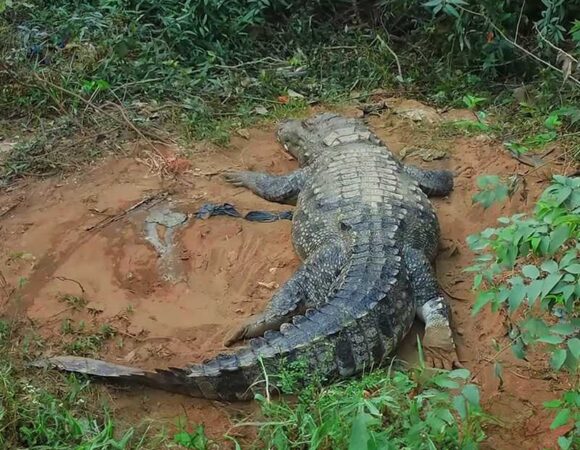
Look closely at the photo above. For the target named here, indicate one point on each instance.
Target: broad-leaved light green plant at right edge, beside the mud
(542, 254)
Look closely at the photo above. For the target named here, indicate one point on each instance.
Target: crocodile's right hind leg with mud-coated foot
(438, 344)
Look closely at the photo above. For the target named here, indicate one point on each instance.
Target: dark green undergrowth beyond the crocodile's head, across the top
(204, 68)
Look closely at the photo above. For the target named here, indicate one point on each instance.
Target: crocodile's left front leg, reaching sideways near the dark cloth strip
(274, 188)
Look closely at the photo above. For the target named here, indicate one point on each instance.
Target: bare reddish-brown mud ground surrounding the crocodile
(172, 286)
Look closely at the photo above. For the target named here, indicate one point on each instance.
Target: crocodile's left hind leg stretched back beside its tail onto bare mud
(308, 288)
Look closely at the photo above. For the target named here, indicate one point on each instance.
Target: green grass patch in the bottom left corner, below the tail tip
(58, 412)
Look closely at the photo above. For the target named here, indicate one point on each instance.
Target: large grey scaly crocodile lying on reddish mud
(367, 236)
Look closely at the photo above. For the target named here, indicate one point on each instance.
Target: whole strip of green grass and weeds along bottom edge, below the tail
(383, 409)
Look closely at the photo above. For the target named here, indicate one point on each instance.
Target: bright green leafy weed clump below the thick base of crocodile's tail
(383, 409)
